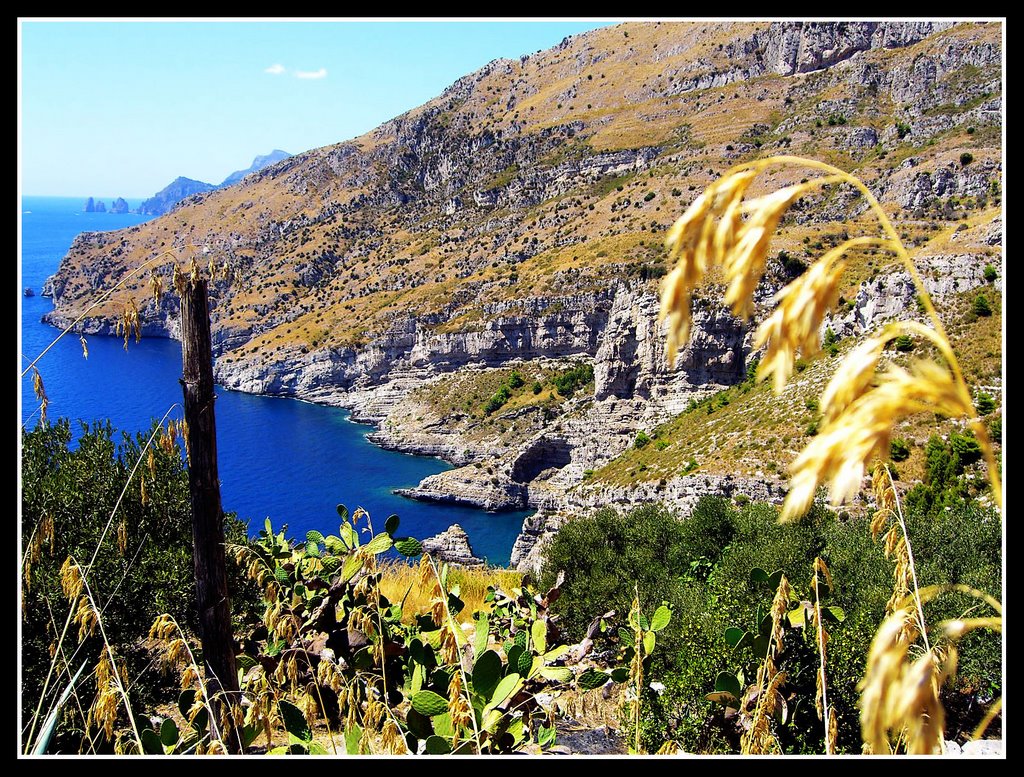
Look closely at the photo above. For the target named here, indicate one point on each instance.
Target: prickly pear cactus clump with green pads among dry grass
(334, 650)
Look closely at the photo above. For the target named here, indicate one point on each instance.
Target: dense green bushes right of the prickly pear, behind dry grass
(703, 567)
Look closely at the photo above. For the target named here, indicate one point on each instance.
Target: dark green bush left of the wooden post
(141, 559)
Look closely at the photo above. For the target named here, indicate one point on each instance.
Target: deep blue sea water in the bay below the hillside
(283, 459)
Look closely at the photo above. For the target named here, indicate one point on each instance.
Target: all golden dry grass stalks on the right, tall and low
(902, 708)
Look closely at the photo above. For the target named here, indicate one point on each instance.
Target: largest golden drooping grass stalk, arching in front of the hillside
(721, 230)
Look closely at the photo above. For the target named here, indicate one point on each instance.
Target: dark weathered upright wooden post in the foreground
(208, 517)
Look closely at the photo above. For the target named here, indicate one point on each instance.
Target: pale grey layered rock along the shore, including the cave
(544, 467)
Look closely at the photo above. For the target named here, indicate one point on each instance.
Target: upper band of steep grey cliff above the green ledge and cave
(618, 328)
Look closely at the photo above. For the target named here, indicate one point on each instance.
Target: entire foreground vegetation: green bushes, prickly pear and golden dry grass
(745, 628)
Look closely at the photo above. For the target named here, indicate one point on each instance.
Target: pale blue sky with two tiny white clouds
(115, 109)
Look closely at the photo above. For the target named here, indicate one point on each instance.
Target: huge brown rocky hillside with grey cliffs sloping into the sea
(519, 220)
